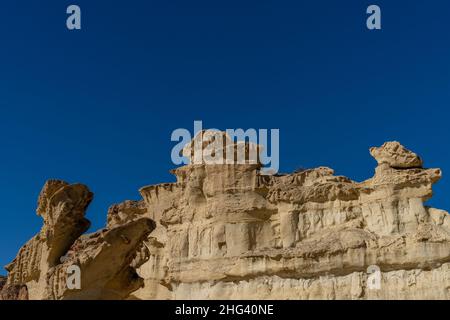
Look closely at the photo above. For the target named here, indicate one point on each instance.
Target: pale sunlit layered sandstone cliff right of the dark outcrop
(227, 232)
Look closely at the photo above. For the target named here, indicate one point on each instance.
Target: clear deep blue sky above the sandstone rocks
(97, 106)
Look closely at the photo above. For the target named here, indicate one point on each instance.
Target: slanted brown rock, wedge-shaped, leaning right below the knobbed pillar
(105, 259)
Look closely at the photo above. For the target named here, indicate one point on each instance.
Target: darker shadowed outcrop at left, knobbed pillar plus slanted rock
(103, 258)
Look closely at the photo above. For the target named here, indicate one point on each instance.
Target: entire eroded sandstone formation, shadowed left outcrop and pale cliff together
(225, 231)
